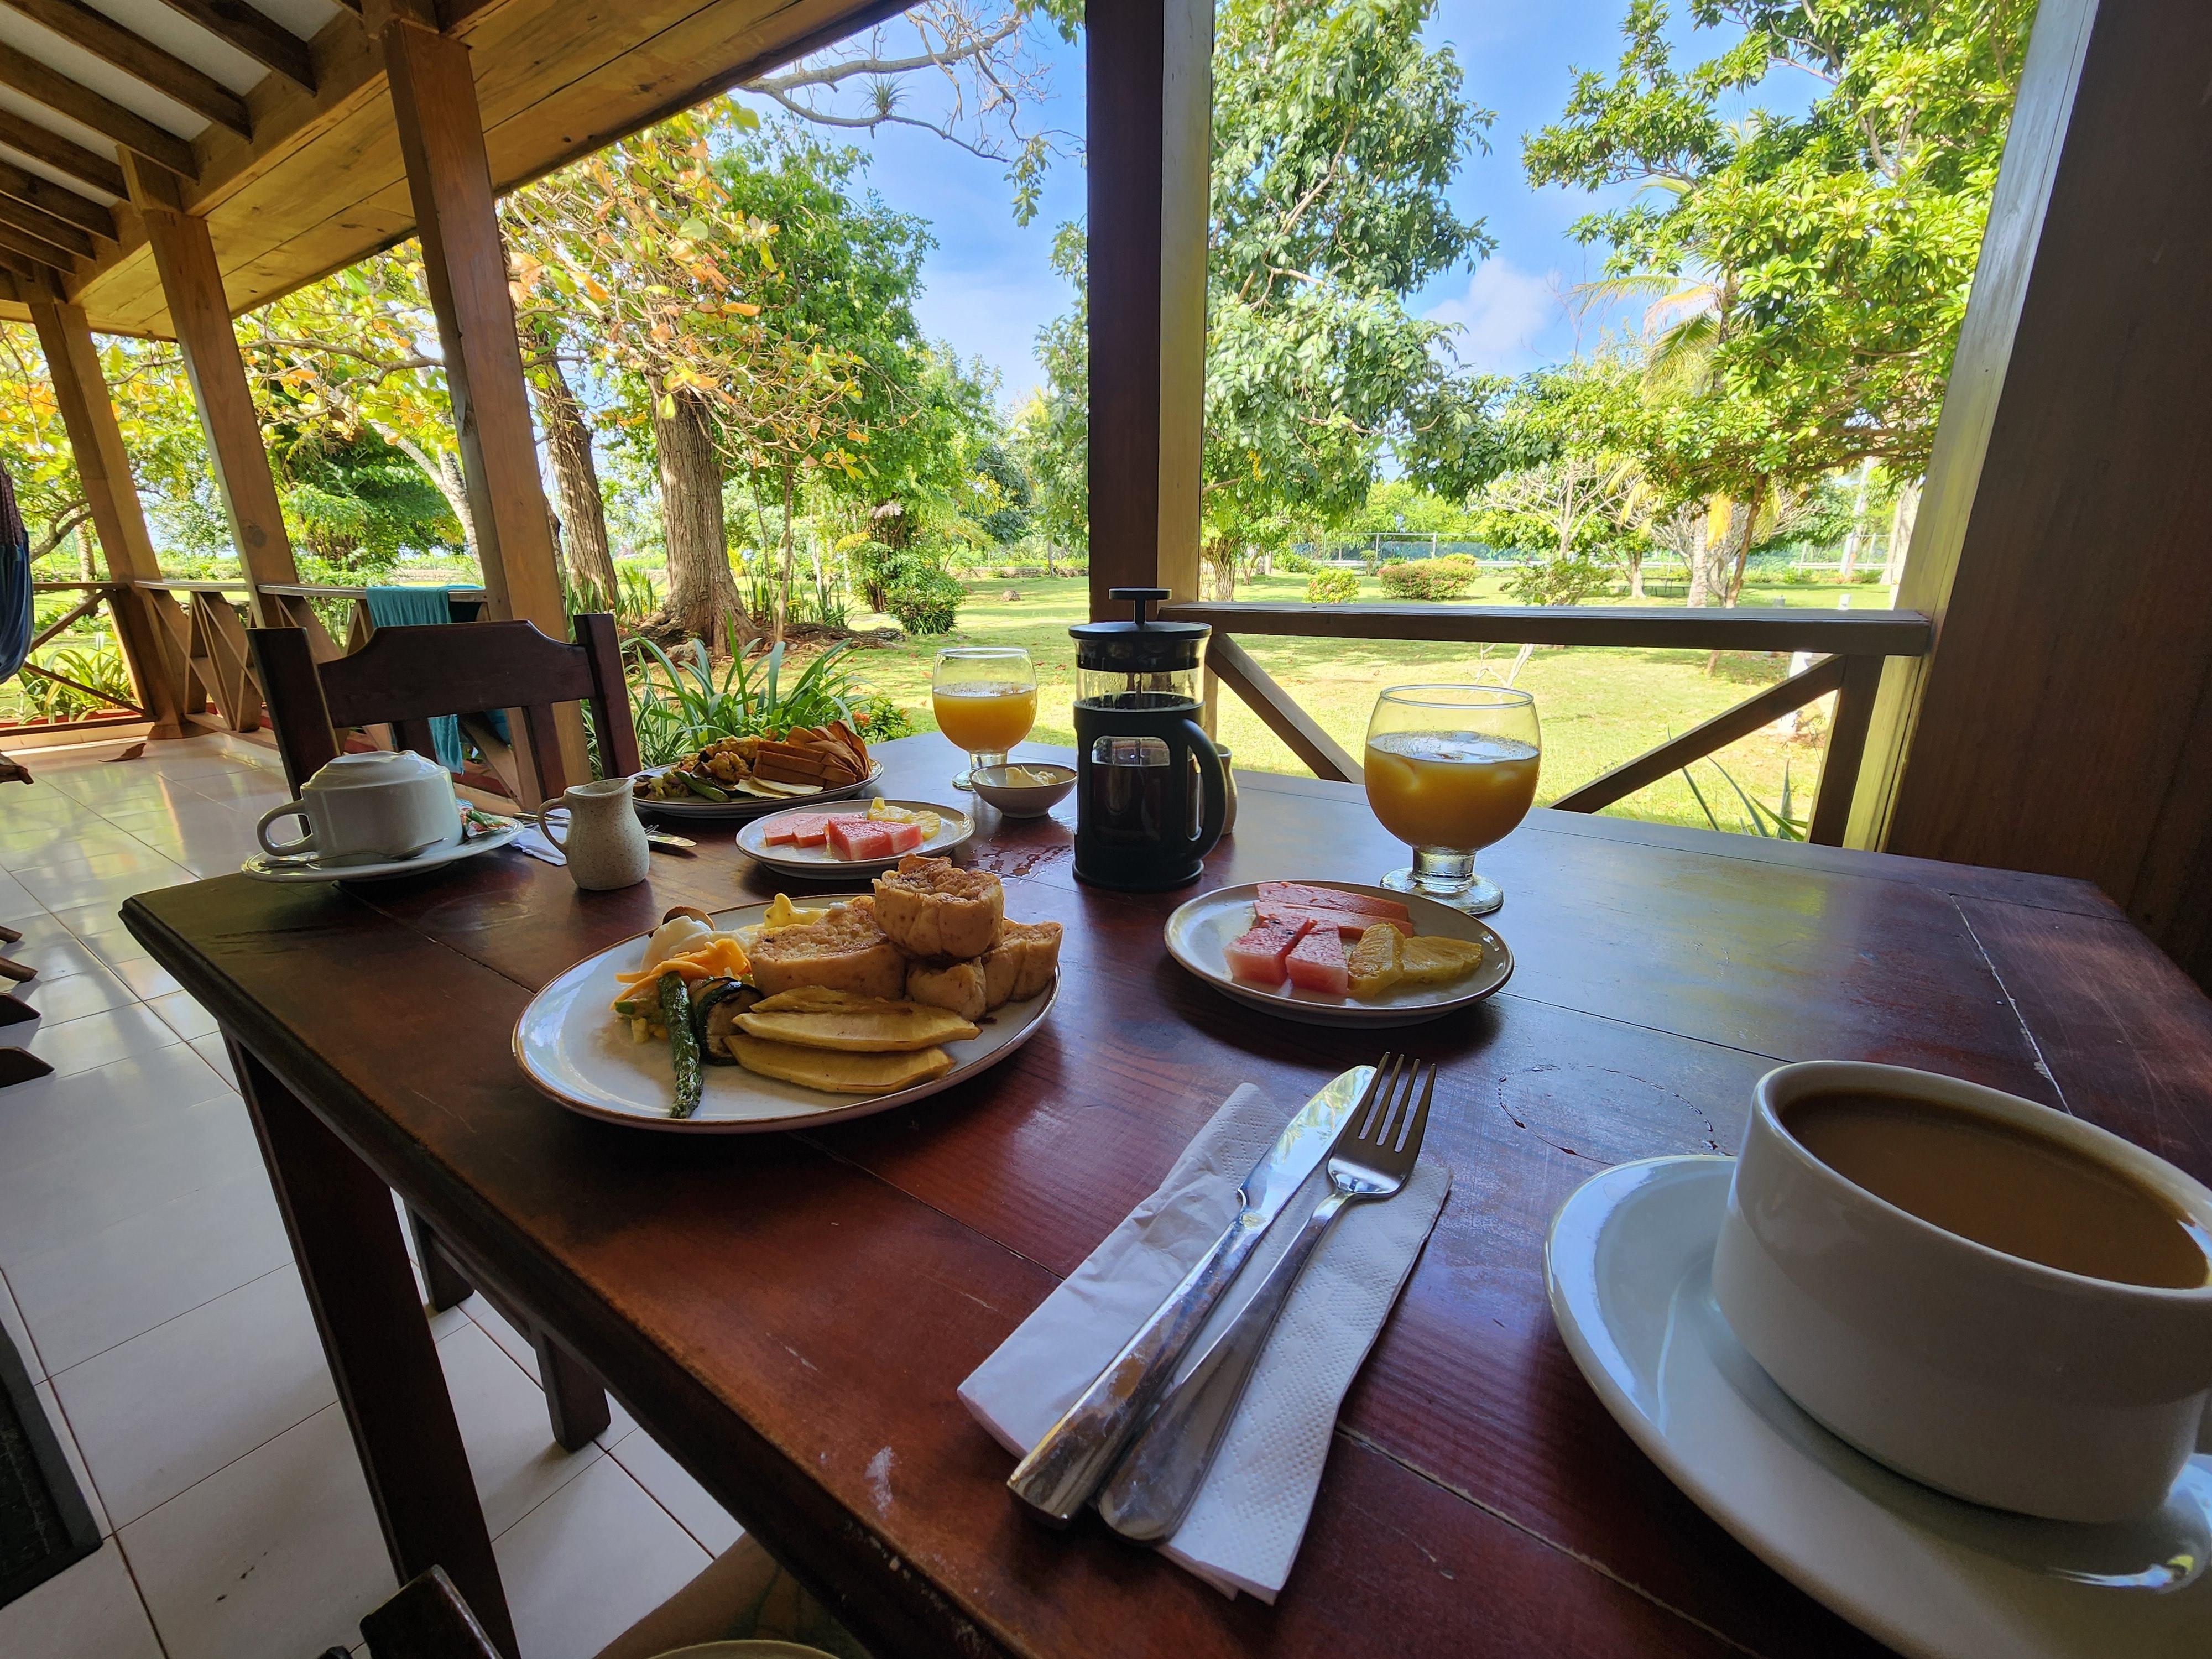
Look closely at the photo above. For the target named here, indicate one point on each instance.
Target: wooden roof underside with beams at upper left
(282, 116)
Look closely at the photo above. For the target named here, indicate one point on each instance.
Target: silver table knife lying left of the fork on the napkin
(1072, 1461)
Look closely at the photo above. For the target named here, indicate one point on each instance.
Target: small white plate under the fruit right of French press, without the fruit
(1202, 930)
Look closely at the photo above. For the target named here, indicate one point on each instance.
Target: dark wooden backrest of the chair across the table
(404, 678)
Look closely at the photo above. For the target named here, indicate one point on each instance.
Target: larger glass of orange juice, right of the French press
(1450, 771)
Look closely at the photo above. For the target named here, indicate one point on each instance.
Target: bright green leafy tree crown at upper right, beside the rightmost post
(1811, 269)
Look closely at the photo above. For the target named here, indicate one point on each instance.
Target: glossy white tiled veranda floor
(147, 1282)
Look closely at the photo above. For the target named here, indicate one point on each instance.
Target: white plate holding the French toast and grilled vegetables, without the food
(576, 1052)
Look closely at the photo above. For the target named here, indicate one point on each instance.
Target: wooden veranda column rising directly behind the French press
(1149, 83)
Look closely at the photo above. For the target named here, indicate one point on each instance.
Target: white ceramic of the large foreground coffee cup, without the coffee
(1972, 1370)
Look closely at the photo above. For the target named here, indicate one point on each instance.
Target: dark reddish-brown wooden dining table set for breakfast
(791, 1315)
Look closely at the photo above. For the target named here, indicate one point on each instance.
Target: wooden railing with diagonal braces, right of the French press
(1850, 649)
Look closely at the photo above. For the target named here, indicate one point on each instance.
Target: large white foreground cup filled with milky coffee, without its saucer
(2074, 1392)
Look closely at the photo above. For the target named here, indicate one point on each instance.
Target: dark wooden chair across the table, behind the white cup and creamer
(401, 680)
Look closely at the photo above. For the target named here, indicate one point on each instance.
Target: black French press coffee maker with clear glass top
(1151, 793)
